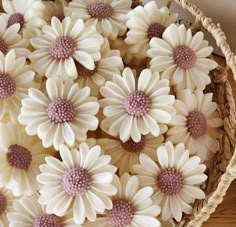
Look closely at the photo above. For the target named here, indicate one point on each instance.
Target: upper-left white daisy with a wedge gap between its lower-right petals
(61, 44)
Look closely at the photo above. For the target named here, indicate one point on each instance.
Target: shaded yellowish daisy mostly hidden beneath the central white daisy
(125, 155)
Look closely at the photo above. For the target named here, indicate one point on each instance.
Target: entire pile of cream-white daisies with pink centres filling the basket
(104, 117)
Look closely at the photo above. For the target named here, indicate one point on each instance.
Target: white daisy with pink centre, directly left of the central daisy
(63, 116)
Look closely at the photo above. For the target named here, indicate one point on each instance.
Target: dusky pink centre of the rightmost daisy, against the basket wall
(196, 124)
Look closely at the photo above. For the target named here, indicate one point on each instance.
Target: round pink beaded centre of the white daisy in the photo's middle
(137, 104)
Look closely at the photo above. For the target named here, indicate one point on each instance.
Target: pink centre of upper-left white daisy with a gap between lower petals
(62, 48)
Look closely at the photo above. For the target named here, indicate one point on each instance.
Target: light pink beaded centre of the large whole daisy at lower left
(76, 181)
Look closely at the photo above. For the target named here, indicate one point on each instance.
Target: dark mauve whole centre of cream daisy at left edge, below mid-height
(19, 157)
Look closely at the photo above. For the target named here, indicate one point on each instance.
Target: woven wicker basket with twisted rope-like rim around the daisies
(222, 167)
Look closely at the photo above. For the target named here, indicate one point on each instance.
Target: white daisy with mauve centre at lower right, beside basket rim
(175, 179)
